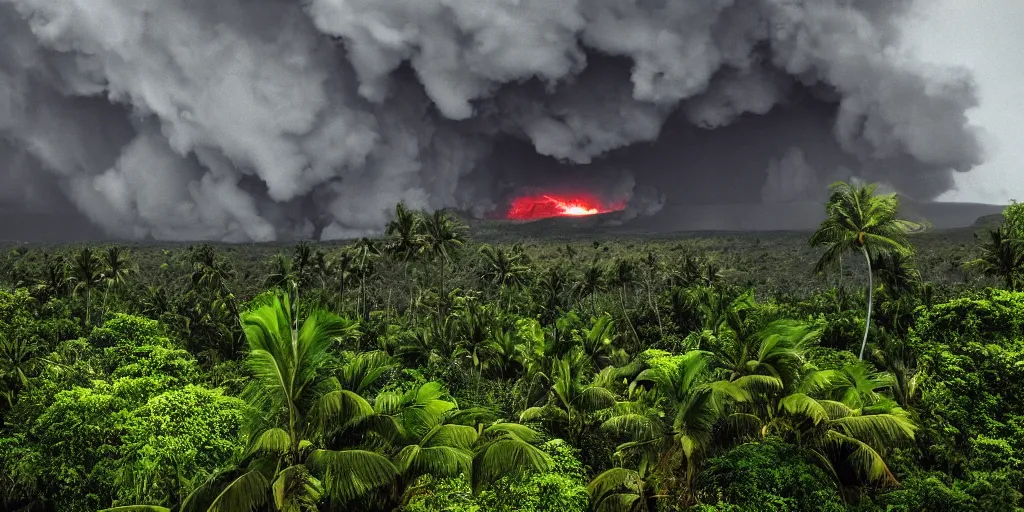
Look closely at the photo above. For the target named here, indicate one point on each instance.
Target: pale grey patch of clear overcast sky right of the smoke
(988, 36)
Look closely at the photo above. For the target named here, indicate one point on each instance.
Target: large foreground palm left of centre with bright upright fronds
(300, 413)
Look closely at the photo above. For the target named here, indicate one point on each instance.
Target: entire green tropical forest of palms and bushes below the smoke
(459, 366)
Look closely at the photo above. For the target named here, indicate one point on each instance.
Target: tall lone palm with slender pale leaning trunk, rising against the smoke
(861, 222)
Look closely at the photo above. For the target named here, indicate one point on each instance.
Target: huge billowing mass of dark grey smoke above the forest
(269, 119)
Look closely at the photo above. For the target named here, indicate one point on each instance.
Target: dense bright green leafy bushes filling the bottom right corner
(972, 352)
